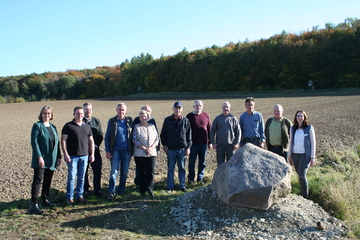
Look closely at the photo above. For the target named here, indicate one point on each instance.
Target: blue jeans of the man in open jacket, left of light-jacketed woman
(120, 159)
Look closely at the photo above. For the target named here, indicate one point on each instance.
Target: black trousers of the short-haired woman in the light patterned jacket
(146, 170)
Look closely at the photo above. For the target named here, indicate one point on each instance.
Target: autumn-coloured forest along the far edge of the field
(330, 57)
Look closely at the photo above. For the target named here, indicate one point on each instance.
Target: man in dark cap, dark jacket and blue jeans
(176, 139)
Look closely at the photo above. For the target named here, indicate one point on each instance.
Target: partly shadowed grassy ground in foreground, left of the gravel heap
(128, 217)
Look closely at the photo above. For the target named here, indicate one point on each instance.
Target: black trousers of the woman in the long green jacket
(43, 175)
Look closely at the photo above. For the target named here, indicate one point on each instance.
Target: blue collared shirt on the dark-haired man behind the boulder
(252, 126)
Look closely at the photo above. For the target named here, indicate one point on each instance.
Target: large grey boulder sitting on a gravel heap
(253, 178)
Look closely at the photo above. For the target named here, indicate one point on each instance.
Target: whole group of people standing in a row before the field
(180, 136)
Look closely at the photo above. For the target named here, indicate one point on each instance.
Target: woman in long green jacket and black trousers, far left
(45, 158)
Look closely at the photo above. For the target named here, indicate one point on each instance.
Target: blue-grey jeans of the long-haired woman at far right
(302, 164)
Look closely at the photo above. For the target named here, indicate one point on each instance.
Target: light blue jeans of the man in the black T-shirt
(77, 166)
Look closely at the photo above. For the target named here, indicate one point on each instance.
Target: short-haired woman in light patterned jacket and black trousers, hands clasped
(145, 139)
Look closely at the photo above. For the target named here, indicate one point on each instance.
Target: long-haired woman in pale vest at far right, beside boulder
(302, 148)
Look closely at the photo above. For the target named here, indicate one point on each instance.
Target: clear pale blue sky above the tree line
(57, 35)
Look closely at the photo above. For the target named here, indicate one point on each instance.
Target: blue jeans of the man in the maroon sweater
(197, 150)
